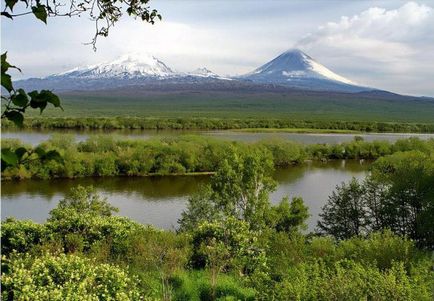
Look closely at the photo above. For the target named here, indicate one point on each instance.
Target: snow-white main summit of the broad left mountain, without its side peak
(126, 66)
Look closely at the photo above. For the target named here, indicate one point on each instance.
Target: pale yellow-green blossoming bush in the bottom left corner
(65, 277)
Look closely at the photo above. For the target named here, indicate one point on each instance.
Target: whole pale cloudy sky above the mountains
(383, 44)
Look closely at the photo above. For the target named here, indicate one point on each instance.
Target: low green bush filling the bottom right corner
(348, 280)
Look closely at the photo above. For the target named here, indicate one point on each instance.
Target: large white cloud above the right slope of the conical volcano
(382, 46)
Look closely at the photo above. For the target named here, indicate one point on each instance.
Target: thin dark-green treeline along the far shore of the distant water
(218, 124)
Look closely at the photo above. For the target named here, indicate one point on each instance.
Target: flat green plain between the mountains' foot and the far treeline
(256, 105)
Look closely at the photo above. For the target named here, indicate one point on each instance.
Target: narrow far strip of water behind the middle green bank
(35, 136)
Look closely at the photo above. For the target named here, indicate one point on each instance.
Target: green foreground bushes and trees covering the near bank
(232, 244)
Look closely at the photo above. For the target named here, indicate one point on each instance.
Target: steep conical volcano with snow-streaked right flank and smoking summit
(297, 69)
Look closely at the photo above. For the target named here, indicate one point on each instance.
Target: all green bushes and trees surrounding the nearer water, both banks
(373, 241)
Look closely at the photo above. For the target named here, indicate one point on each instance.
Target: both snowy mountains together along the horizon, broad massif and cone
(292, 69)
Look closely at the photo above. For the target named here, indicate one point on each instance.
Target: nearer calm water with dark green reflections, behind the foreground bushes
(160, 200)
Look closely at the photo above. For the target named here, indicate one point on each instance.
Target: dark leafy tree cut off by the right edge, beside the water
(408, 207)
